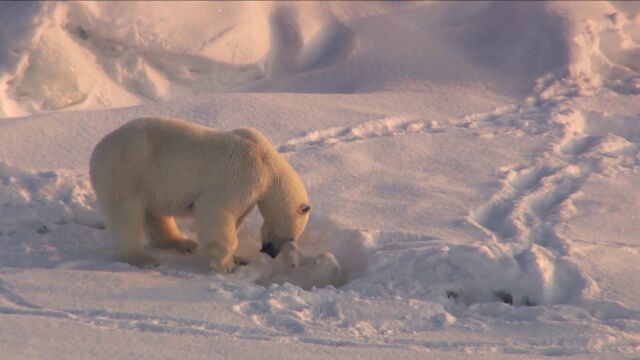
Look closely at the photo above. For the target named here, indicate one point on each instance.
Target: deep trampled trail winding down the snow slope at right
(534, 198)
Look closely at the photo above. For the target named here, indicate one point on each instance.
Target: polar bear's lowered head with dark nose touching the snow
(285, 209)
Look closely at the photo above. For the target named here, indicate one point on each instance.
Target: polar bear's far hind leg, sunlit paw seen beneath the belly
(163, 232)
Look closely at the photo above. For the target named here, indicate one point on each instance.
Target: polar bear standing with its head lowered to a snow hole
(151, 169)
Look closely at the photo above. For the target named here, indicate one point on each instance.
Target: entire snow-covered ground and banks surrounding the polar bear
(473, 169)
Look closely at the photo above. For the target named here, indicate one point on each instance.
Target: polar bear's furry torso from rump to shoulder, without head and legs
(171, 160)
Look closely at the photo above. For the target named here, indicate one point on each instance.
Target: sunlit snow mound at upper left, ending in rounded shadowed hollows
(70, 55)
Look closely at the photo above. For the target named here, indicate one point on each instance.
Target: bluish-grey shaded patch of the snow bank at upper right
(524, 38)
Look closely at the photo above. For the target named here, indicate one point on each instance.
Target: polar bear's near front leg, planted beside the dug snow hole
(218, 237)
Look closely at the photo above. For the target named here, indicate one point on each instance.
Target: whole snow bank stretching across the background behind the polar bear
(72, 56)
